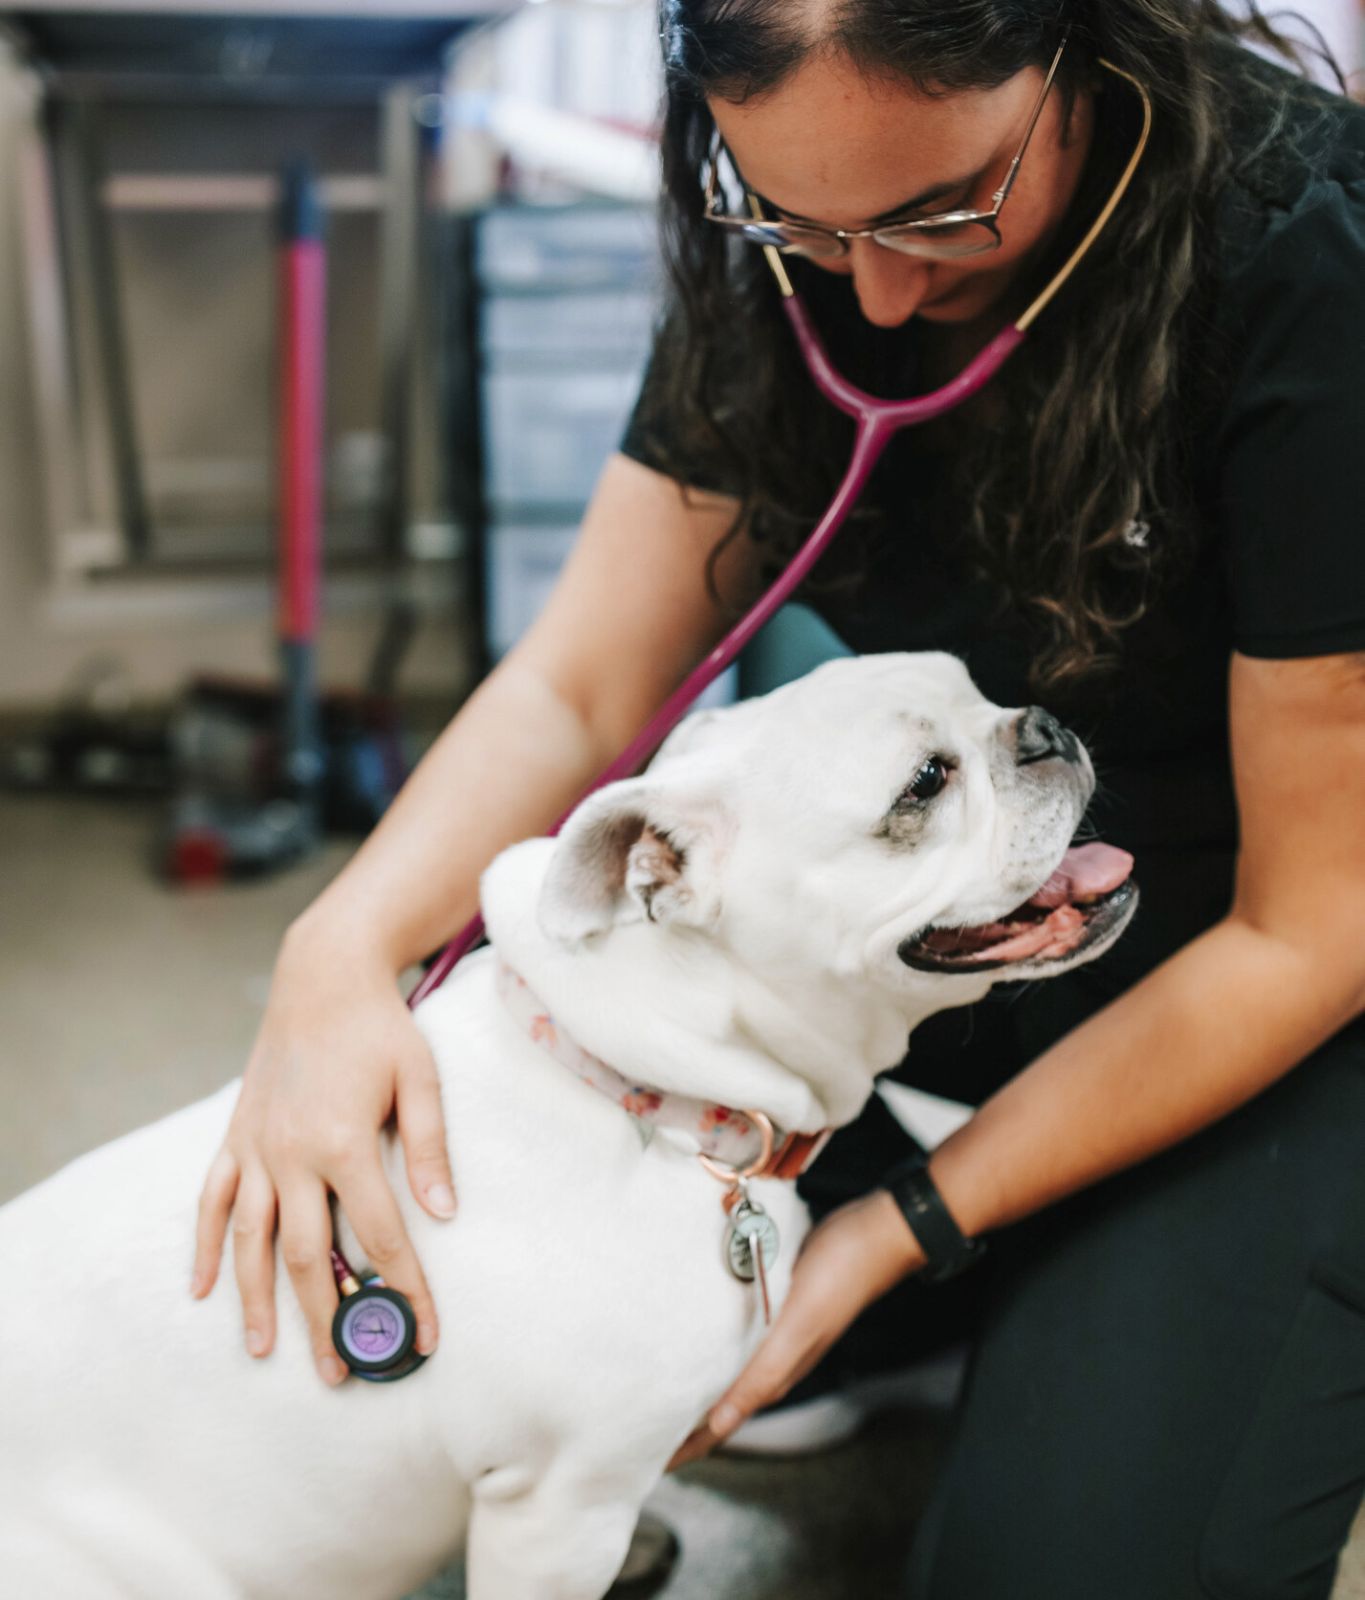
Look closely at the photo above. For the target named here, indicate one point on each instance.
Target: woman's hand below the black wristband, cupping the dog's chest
(851, 1260)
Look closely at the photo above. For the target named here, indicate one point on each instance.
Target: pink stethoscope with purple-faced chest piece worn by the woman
(878, 423)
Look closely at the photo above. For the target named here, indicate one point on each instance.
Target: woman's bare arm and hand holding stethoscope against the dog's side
(338, 1050)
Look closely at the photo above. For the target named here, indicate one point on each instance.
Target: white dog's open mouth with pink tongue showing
(1086, 897)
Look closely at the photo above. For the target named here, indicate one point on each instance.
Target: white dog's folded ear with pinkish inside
(634, 852)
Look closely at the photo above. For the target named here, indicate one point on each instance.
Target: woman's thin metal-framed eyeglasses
(948, 236)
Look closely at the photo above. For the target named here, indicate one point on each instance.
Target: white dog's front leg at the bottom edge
(548, 1540)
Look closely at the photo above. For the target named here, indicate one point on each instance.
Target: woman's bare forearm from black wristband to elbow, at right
(1207, 1031)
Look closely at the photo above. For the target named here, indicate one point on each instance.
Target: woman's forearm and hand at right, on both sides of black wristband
(1209, 1030)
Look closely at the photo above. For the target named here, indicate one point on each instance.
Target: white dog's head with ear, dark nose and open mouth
(878, 818)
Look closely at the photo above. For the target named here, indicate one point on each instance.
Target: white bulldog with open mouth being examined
(758, 922)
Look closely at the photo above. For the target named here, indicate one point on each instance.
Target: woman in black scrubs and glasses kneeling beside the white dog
(1151, 524)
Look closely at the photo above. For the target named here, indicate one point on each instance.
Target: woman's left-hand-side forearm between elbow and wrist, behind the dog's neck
(508, 766)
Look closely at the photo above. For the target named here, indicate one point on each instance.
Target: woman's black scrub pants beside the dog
(1167, 1390)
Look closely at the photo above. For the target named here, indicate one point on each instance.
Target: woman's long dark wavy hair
(1094, 430)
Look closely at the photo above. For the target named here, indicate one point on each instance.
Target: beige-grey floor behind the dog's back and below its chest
(121, 1001)
